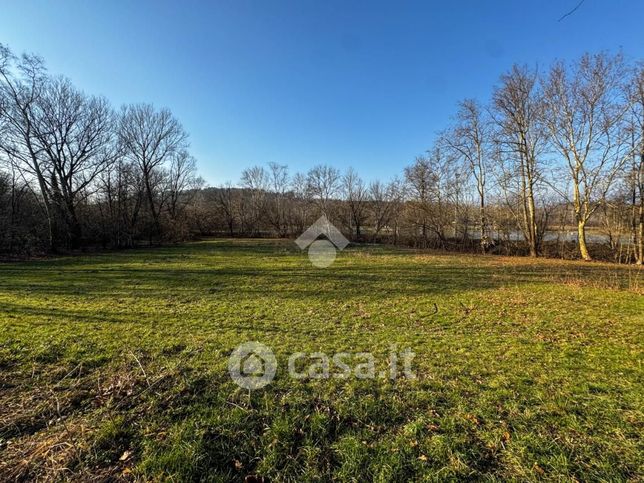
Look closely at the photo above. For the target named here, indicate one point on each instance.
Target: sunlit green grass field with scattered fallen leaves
(115, 366)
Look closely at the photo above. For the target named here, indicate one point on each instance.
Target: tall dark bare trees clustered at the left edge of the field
(77, 172)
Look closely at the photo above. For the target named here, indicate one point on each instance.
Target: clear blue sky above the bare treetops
(362, 84)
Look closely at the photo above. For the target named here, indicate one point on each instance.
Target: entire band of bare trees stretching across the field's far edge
(550, 166)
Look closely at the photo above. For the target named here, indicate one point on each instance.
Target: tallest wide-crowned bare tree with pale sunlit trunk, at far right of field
(584, 109)
